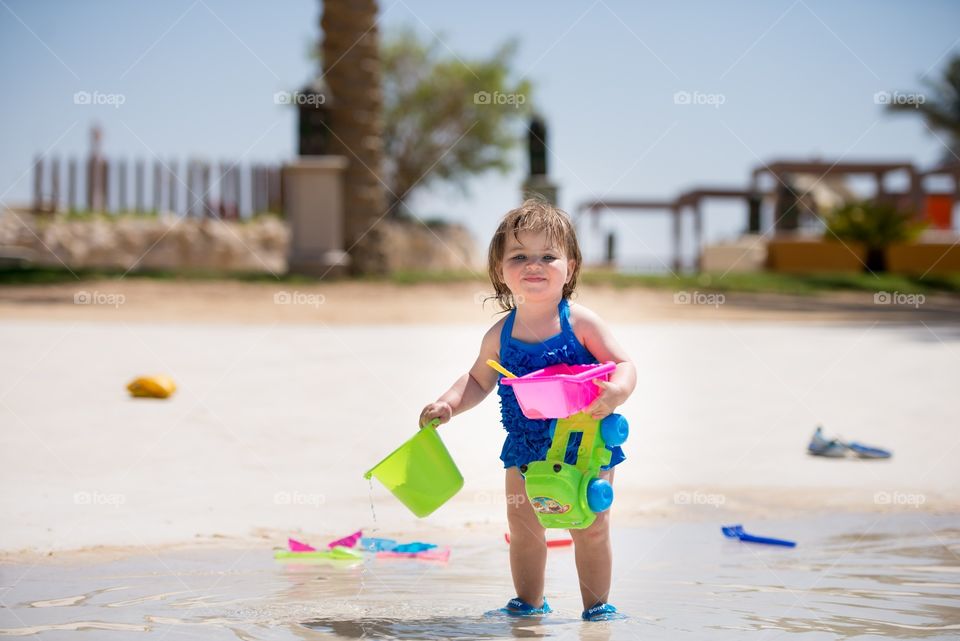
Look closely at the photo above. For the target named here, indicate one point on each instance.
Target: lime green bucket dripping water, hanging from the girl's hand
(420, 472)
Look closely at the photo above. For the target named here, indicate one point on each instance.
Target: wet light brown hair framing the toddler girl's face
(534, 215)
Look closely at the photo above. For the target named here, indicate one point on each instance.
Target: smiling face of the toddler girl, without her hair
(534, 268)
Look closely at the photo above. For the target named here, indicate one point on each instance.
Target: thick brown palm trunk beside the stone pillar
(351, 66)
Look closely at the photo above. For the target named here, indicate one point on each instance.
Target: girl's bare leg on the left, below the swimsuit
(528, 545)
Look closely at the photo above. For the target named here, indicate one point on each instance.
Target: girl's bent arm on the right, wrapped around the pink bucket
(599, 340)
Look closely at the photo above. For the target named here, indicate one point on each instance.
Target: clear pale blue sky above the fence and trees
(767, 80)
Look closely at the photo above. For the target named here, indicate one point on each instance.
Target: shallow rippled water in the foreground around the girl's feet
(851, 576)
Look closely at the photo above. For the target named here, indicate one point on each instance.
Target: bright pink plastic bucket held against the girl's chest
(558, 391)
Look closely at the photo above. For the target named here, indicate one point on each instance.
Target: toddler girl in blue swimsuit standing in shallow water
(533, 264)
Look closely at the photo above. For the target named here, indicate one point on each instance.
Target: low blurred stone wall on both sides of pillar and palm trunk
(166, 243)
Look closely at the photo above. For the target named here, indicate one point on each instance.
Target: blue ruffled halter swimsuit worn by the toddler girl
(529, 439)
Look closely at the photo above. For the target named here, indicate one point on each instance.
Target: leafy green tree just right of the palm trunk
(446, 118)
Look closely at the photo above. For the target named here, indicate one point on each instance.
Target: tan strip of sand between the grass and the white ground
(347, 302)
